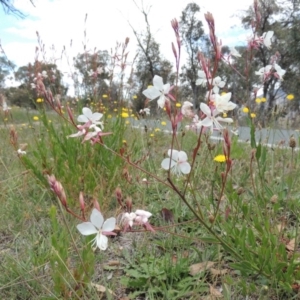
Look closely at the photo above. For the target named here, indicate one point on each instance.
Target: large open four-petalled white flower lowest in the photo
(99, 227)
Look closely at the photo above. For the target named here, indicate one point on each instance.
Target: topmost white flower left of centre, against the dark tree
(158, 90)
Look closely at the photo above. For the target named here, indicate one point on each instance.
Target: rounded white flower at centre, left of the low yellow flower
(177, 162)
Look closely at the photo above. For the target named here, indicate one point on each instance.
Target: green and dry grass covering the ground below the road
(43, 255)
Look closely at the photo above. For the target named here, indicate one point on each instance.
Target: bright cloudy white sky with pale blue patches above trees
(60, 21)
